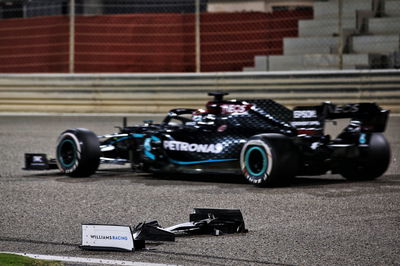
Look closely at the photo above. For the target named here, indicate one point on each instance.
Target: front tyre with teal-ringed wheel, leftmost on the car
(78, 152)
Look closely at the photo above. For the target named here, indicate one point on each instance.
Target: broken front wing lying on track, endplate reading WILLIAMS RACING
(122, 238)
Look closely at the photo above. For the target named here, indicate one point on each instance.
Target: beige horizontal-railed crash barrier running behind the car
(155, 93)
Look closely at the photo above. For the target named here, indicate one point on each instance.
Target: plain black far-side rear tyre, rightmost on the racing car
(372, 162)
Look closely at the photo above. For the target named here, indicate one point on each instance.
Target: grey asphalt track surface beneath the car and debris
(322, 220)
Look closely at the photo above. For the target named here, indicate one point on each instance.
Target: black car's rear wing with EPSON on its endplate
(311, 119)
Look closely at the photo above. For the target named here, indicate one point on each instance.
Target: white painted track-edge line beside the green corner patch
(87, 260)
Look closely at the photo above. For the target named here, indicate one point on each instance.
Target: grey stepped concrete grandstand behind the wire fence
(366, 37)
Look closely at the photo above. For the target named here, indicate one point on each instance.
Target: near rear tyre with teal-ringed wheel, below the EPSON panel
(269, 160)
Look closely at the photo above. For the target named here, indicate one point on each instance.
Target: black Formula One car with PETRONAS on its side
(262, 140)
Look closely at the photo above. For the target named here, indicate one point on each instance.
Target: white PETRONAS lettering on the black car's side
(193, 147)
